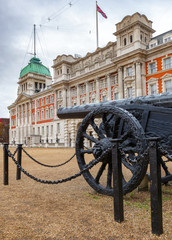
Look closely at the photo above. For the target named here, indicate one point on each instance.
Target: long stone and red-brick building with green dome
(135, 64)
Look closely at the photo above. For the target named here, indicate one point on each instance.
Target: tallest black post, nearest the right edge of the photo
(155, 187)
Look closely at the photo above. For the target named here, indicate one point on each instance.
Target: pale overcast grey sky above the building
(62, 28)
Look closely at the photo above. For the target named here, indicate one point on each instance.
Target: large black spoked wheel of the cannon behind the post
(94, 137)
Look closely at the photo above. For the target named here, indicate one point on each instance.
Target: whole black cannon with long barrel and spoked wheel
(133, 121)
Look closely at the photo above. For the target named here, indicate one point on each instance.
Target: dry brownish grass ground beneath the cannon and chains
(72, 210)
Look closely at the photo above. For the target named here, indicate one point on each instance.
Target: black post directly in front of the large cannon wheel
(117, 182)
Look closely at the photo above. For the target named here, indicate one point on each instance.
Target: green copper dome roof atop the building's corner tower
(35, 66)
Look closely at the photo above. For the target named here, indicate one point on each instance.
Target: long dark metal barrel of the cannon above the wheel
(161, 100)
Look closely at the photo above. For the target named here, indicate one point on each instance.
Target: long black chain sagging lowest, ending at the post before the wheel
(86, 168)
